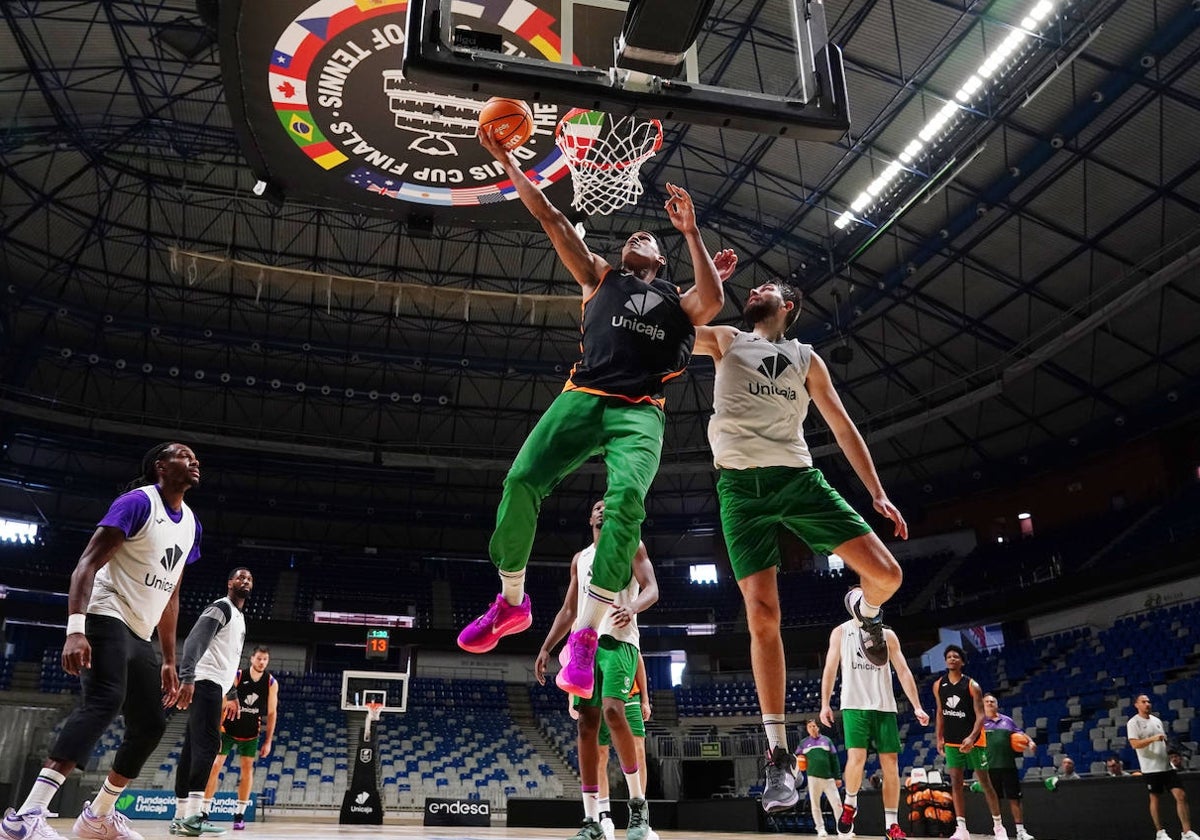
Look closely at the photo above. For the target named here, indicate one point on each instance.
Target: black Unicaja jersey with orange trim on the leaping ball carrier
(637, 338)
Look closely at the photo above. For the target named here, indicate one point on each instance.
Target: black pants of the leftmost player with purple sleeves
(124, 677)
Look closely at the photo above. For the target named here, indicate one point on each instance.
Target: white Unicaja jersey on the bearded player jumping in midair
(760, 404)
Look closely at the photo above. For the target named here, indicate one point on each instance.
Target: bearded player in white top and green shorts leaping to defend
(761, 395)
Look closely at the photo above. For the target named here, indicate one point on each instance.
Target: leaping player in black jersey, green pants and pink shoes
(638, 334)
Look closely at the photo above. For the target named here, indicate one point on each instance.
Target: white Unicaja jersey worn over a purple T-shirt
(139, 580)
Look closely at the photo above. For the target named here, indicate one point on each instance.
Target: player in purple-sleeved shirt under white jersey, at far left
(125, 585)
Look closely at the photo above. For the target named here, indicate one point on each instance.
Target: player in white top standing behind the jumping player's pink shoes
(619, 644)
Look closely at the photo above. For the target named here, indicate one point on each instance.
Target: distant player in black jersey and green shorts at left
(249, 728)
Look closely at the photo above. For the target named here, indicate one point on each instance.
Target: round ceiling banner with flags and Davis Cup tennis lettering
(326, 116)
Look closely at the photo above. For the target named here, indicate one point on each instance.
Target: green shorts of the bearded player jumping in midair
(757, 502)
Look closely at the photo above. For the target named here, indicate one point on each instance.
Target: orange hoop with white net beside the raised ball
(605, 157)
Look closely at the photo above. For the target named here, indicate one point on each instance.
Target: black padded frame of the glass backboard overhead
(448, 58)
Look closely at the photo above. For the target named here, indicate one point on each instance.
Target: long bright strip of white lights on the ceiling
(949, 113)
